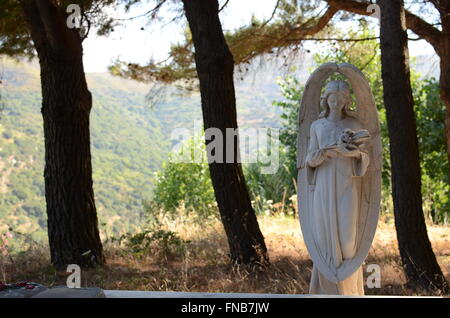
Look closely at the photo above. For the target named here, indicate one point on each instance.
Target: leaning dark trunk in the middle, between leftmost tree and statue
(215, 65)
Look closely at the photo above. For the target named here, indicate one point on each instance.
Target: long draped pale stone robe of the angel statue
(336, 185)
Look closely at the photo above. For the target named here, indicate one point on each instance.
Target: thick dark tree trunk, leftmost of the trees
(66, 104)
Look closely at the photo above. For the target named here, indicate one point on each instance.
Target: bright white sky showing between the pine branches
(131, 44)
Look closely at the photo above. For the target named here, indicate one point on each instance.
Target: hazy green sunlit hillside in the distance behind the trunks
(129, 140)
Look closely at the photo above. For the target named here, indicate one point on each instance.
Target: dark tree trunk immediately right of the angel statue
(419, 261)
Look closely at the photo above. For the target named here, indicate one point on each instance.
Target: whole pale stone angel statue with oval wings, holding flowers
(339, 162)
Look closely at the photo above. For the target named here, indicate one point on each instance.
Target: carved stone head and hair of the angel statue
(336, 97)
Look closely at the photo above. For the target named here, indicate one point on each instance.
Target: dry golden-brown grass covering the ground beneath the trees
(205, 267)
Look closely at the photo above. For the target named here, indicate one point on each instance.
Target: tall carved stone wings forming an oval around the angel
(366, 113)
